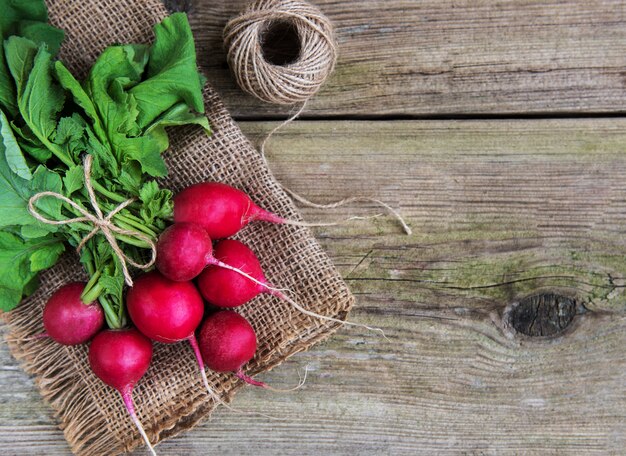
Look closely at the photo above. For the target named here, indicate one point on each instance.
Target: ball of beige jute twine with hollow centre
(281, 84)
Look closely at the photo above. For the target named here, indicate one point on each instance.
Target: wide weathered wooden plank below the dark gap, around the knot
(500, 209)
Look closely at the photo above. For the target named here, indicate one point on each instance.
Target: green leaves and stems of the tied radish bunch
(49, 120)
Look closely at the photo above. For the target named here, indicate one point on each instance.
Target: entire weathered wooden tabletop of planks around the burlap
(497, 129)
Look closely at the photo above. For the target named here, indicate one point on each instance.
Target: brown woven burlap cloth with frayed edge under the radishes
(170, 398)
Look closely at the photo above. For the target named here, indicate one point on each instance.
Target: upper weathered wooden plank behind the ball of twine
(447, 58)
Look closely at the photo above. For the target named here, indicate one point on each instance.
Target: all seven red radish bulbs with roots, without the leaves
(166, 306)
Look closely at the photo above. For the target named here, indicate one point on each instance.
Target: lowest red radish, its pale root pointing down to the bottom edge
(120, 358)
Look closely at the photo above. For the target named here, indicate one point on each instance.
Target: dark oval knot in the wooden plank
(542, 315)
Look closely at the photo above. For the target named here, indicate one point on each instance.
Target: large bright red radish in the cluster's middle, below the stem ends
(167, 311)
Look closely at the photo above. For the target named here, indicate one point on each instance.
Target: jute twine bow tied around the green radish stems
(100, 223)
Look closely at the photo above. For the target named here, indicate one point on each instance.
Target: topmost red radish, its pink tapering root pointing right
(220, 209)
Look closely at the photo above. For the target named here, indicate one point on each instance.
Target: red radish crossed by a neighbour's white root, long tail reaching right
(244, 280)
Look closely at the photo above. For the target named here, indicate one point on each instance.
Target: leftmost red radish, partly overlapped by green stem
(67, 319)
